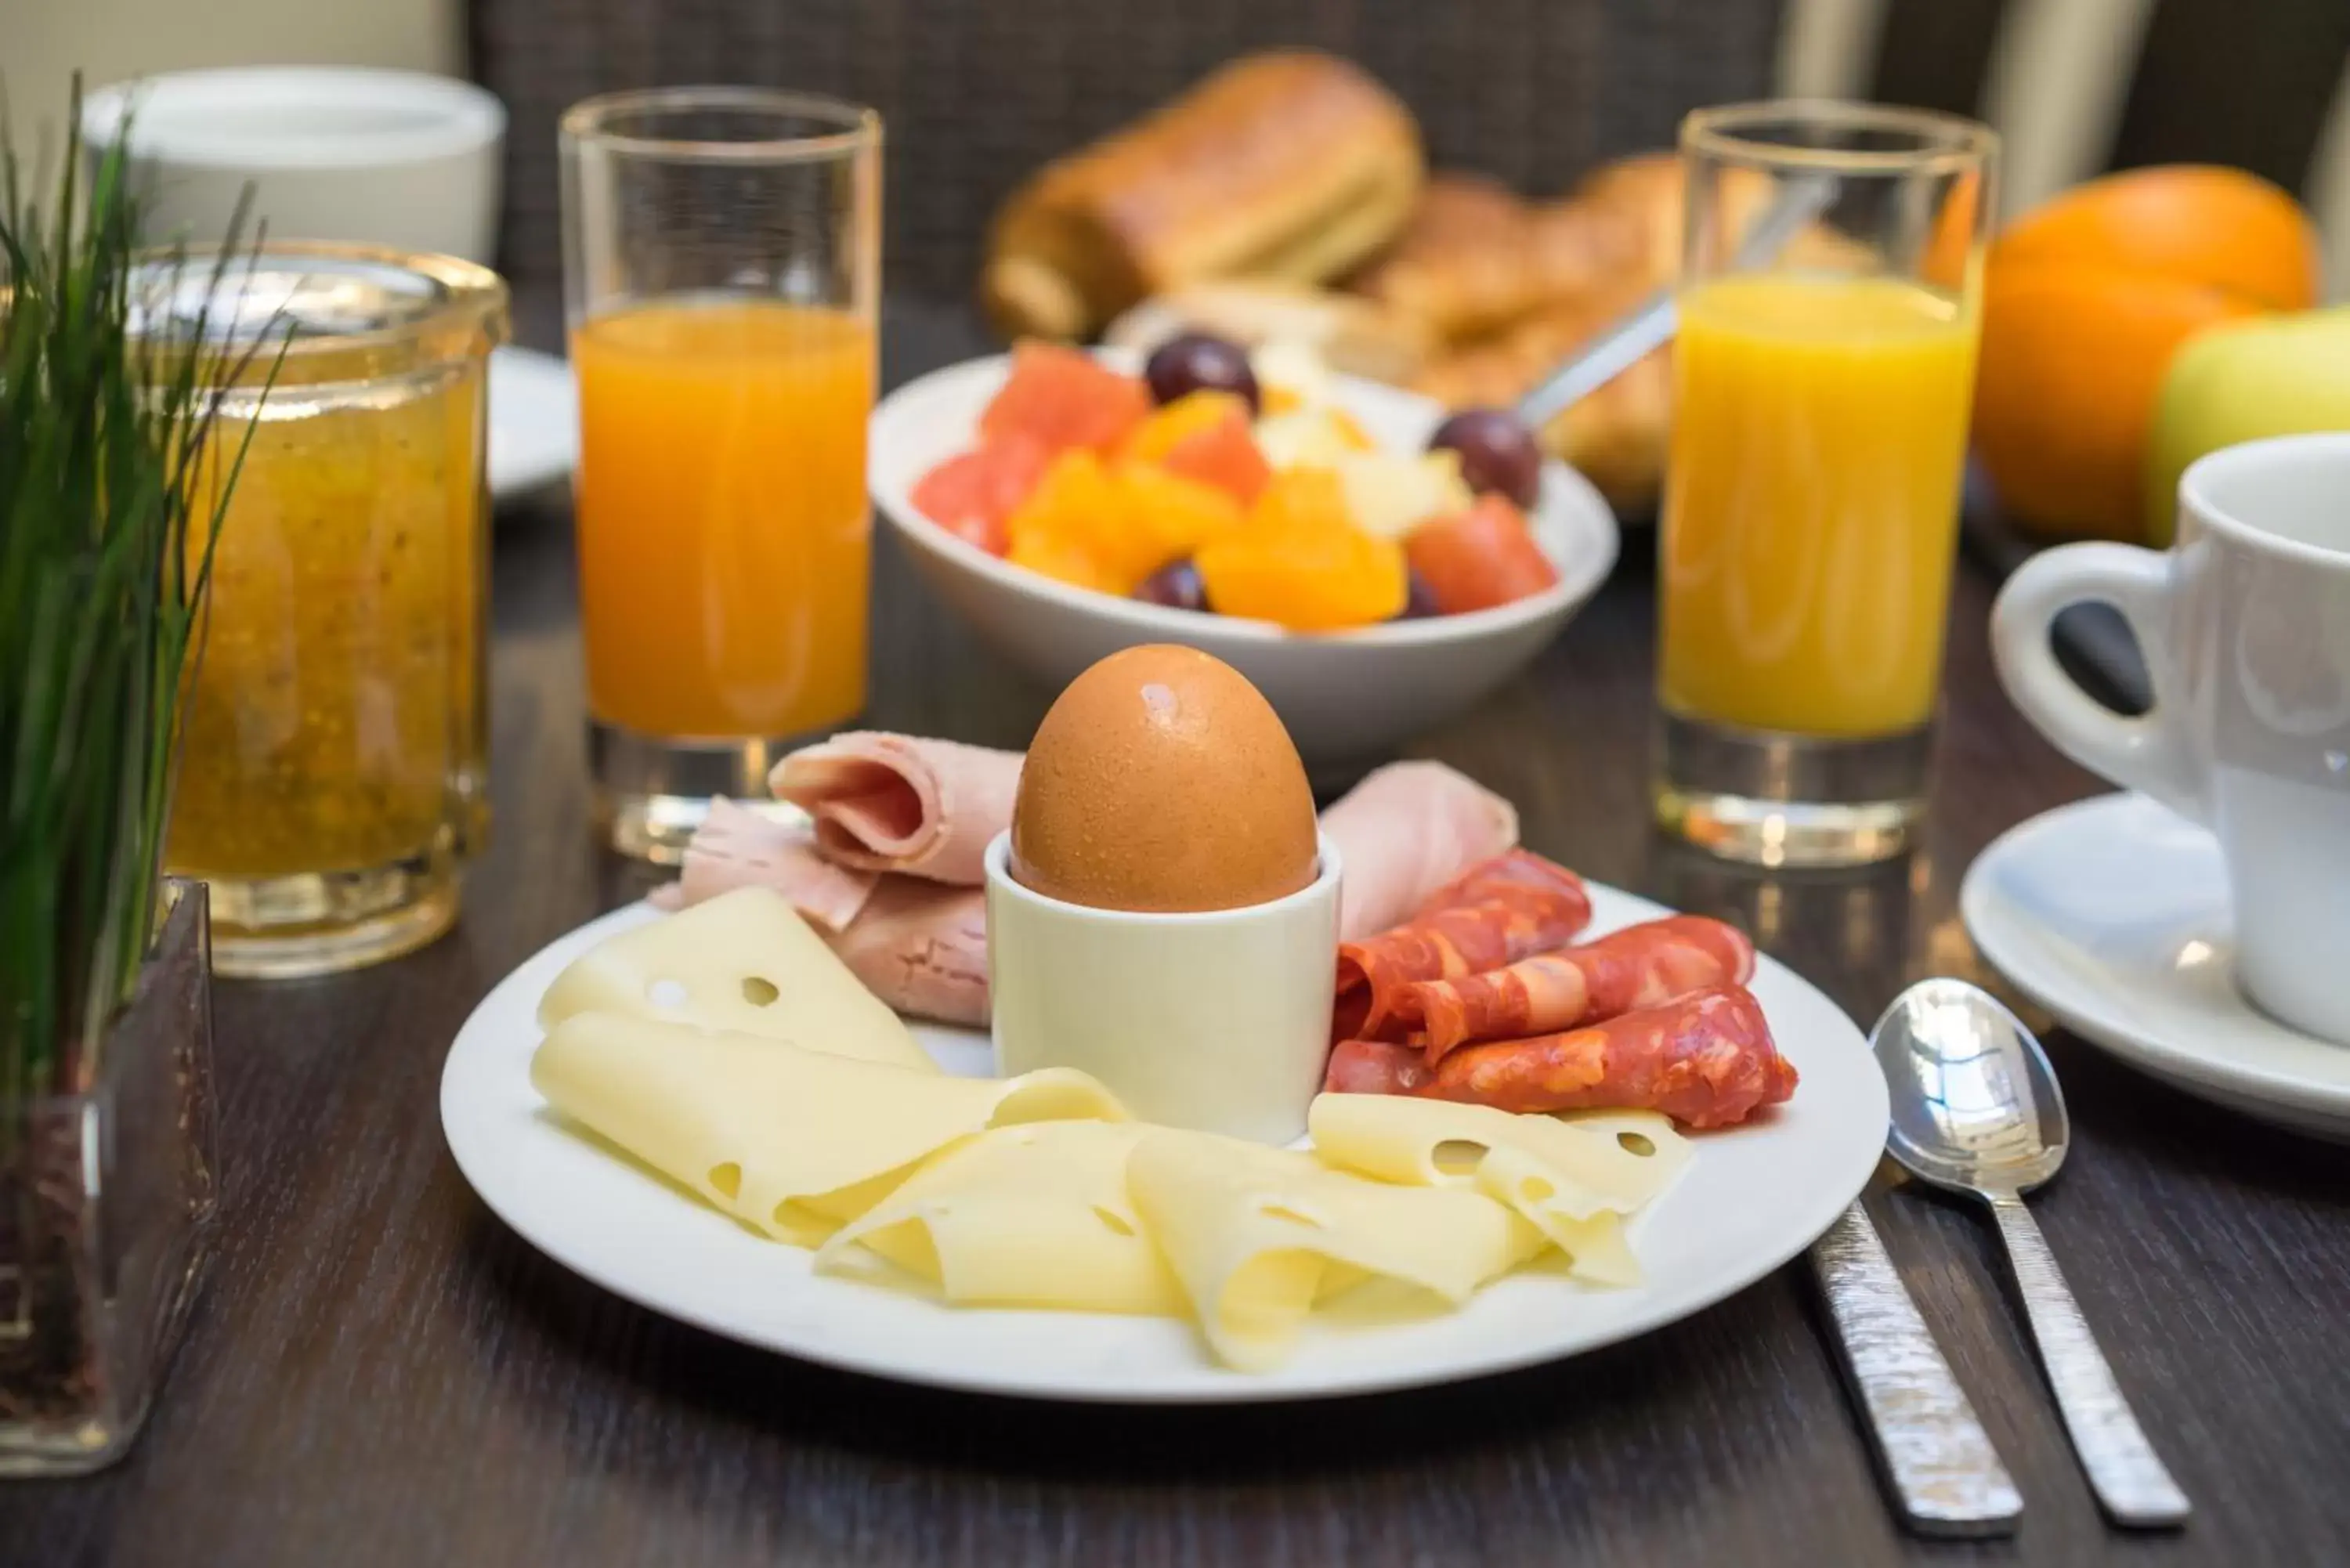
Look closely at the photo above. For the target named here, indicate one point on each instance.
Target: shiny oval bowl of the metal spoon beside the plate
(1975, 1104)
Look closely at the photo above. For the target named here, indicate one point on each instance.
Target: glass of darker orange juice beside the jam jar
(720, 279)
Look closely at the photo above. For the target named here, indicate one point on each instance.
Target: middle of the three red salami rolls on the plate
(1623, 972)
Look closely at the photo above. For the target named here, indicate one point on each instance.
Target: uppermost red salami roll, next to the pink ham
(1496, 913)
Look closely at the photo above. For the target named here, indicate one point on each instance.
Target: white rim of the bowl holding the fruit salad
(1573, 525)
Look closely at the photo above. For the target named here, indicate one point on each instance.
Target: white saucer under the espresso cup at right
(2114, 916)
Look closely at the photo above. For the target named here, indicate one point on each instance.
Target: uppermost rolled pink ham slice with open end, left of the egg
(901, 803)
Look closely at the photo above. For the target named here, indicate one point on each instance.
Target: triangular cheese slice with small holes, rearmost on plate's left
(744, 963)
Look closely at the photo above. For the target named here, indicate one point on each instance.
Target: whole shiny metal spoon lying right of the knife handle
(1975, 1108)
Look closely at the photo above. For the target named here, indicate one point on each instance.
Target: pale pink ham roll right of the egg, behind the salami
(1404, 833)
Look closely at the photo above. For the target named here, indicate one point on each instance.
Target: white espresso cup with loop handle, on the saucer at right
(2245, 629)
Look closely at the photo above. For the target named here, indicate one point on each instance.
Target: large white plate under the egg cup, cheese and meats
(1750, 1202)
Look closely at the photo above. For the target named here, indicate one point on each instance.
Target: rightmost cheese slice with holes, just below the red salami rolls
(1573, 1177)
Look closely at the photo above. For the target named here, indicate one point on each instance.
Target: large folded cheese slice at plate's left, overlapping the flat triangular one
(788, 1141)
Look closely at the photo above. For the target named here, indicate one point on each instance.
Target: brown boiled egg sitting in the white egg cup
(1162, 782)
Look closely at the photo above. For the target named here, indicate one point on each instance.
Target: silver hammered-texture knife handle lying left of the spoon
(1935, 1456)
